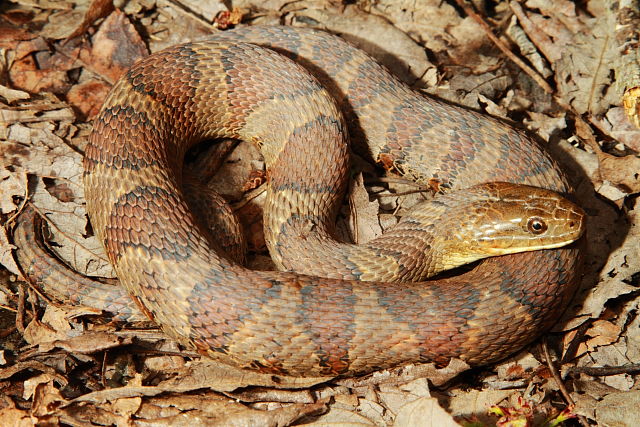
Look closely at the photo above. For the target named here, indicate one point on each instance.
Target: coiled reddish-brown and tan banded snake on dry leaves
(298, 94)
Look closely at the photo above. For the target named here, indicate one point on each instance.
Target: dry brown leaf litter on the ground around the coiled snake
(70, 365)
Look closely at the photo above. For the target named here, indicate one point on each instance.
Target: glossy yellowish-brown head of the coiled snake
(501, 218)
